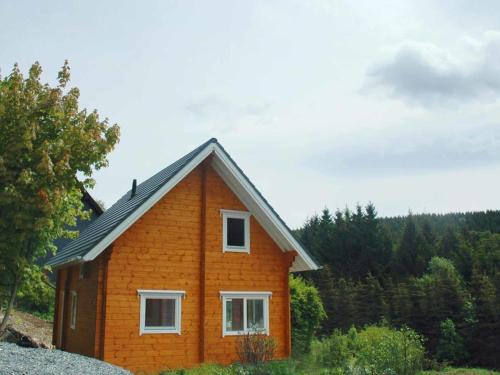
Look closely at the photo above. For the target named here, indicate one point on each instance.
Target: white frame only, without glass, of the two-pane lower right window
(227, 296)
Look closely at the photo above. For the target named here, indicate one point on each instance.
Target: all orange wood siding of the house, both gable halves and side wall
(163, 250)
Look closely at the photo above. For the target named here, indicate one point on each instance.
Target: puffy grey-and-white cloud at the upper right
(431, 76)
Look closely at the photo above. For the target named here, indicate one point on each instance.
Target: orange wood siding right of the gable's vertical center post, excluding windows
(264, 269)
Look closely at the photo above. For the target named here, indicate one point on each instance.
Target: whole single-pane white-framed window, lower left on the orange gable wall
(161, 311)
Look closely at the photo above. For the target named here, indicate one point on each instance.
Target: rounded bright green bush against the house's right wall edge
(307, 314)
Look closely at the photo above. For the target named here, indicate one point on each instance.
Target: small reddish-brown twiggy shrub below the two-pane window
(255, 348)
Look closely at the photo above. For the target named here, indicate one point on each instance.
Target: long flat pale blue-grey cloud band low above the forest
(418, 151)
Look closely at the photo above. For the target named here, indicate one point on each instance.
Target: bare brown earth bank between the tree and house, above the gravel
(40, 330)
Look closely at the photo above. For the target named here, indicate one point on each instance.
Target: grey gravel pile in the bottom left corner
(27, 361)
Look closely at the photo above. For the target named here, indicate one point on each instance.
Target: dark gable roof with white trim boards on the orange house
(119, 217)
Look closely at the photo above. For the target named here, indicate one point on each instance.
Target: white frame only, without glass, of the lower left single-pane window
(175, 295)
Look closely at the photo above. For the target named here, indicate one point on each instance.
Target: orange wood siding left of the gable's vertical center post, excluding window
(160, 251)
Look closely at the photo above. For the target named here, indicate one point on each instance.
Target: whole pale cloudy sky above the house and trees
(321, 103)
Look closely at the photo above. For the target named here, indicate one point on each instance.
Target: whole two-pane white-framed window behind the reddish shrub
(245, 312)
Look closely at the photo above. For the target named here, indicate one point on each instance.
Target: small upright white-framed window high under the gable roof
(235, 231)
